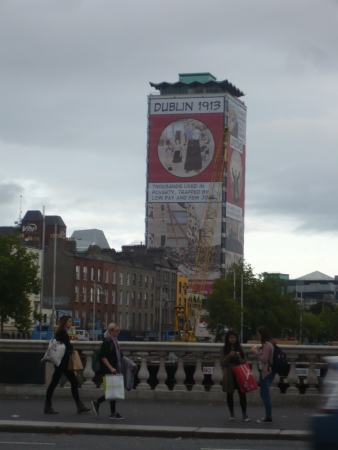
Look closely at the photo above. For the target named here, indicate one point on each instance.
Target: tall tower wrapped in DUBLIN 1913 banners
(186, 122)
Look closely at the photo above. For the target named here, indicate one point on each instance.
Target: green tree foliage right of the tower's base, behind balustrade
(264, 302)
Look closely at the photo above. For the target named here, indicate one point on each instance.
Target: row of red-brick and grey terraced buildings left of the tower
(137, 288)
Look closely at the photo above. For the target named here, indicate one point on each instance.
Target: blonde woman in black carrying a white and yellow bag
(111, 363)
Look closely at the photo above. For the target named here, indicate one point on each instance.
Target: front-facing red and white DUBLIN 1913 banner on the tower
(184, 135)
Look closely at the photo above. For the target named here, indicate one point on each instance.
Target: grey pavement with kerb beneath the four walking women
(156, 419)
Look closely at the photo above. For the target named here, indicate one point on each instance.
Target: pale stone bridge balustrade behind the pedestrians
(184, 364)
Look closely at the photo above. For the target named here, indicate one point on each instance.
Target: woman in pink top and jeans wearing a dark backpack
(266, 376)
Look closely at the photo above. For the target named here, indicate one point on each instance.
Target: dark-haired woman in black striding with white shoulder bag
(61, 335)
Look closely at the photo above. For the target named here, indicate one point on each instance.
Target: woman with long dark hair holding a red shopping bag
(233, 355)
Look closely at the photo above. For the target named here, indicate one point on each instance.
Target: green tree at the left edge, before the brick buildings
(18, 280)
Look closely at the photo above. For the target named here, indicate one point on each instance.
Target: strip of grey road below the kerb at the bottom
(9, 441)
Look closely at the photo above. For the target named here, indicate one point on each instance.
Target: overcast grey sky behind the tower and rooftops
(74, 83)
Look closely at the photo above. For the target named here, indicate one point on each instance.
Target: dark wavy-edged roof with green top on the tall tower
(197, 83)
